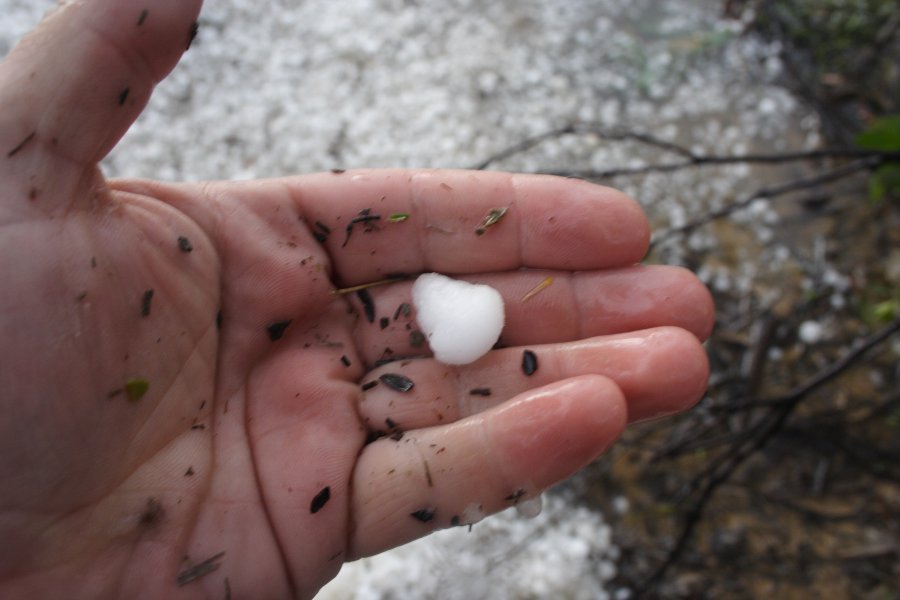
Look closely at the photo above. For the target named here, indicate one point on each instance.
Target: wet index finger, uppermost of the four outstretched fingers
(548, 222)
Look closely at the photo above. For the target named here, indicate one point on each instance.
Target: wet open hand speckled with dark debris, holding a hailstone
(183, 414)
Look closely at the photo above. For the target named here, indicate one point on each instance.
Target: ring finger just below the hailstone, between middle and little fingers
(661, 371)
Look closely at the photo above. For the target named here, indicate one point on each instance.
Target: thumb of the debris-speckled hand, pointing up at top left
(74, 85)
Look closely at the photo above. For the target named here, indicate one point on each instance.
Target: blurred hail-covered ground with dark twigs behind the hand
(763, 140)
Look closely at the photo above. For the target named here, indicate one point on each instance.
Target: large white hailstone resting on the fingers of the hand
(462, 321)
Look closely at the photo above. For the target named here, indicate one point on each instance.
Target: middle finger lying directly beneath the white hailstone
(545, 307)
